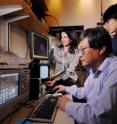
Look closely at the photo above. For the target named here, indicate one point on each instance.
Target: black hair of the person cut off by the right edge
(110, 13)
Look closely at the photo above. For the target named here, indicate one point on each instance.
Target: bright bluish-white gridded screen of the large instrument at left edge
(8, 87)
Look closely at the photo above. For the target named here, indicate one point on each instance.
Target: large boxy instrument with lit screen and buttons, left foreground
(14, 90)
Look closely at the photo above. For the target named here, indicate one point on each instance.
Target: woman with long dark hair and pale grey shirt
(65, 58)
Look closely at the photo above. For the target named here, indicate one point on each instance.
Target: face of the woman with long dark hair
(65, 39)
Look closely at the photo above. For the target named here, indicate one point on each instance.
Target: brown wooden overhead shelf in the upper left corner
(21, 8)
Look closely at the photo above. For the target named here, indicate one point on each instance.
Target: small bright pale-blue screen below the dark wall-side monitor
(44, 71)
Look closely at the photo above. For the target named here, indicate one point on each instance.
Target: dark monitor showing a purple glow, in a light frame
(39, 46)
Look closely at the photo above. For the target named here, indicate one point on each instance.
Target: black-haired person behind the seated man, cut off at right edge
(110, 24)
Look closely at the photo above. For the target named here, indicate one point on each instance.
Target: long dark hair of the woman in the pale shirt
(71, 35)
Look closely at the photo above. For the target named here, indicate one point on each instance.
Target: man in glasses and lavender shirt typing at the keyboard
(100, 88)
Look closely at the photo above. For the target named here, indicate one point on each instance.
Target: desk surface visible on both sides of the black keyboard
(61, 117)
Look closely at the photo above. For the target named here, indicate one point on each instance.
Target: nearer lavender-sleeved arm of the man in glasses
(100, 108)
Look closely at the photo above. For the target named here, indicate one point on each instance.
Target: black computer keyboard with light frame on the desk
(46, 110)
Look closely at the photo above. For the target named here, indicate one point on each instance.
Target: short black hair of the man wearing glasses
(98, 38)
